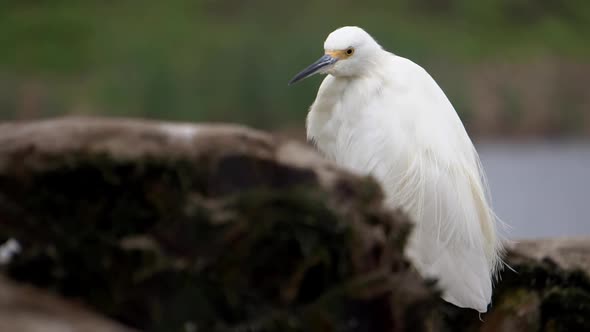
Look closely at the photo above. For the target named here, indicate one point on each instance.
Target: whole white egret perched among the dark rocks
(381, 114)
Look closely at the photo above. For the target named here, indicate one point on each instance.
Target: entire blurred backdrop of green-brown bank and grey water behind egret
(517, 71)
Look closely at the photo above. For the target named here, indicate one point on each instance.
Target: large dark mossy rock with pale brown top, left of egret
(172, 227)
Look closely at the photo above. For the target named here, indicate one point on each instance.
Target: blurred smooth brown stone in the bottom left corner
(25, 309)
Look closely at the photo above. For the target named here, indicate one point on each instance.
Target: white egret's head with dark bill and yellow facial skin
(348, 51)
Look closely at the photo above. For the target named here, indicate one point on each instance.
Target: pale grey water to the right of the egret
(540, 189)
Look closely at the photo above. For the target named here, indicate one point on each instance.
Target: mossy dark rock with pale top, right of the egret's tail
(551, 288)
